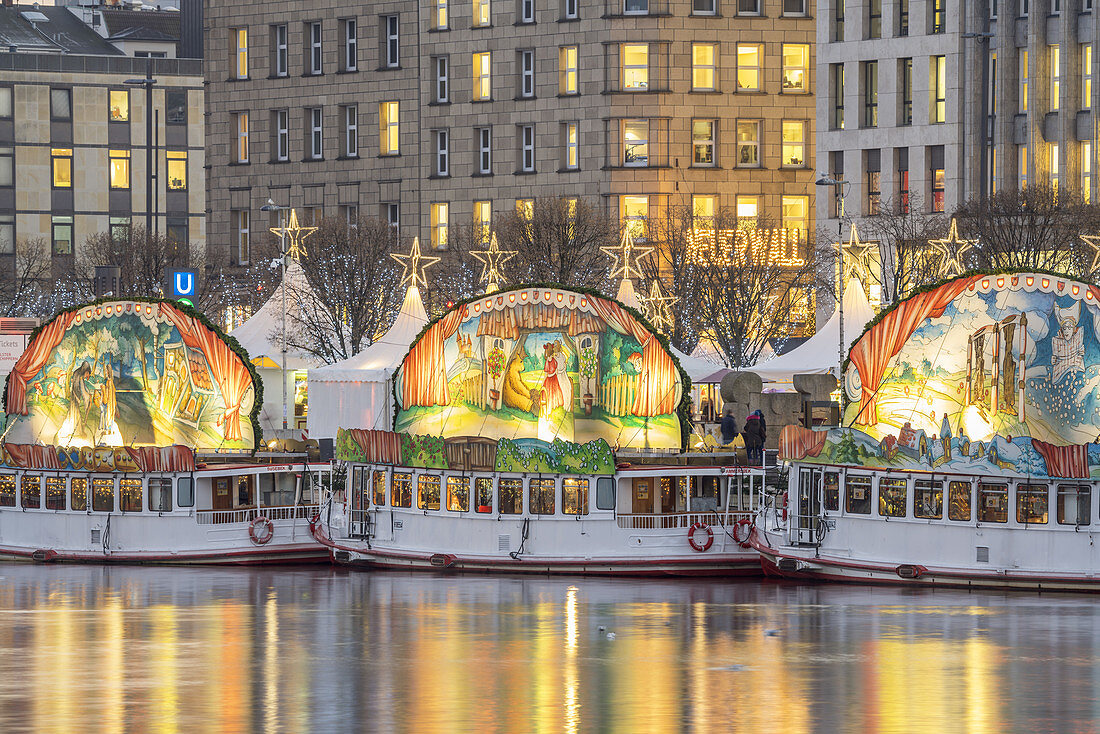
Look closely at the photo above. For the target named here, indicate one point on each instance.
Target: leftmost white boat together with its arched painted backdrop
(131, 437)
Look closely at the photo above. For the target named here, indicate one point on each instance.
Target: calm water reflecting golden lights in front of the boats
(177, 650)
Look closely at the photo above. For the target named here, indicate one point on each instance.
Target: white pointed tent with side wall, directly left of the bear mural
(356, 393)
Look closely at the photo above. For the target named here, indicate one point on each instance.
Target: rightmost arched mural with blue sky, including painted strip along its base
(985, 374)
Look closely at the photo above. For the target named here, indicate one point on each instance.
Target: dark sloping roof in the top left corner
(24, 29)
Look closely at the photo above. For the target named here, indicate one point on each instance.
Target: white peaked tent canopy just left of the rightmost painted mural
(820, 355)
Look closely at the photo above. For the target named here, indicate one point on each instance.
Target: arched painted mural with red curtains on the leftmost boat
(131, 374)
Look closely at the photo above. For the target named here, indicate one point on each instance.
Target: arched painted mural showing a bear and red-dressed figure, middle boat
(542, 364)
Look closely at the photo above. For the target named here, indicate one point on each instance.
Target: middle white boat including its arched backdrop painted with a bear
(501, 459)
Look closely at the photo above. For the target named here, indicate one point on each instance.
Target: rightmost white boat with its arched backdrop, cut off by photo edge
(967, 456)
